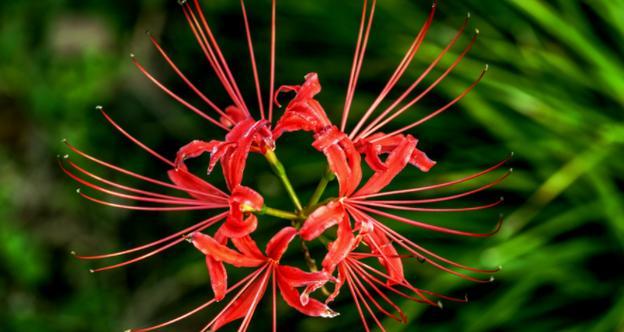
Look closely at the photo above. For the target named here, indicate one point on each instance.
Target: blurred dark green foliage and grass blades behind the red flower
(554, 95)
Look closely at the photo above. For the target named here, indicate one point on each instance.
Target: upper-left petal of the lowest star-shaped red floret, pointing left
(210, 247)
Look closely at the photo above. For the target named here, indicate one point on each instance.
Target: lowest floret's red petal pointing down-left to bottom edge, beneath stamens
(241, 306)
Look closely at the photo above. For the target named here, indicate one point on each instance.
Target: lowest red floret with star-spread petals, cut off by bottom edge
(247, 254)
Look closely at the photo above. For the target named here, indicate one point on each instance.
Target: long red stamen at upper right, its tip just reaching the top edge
(403, 65)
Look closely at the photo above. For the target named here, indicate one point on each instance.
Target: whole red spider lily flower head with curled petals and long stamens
(364, 256)
